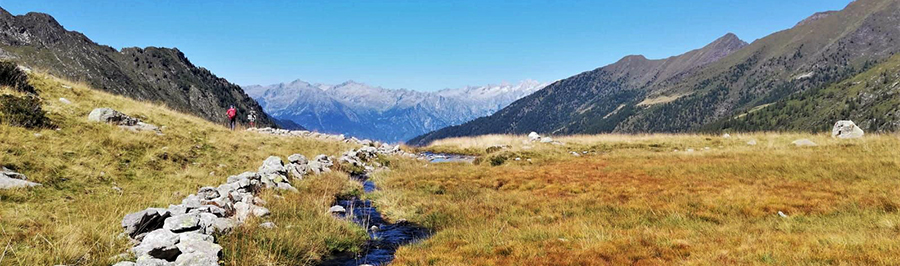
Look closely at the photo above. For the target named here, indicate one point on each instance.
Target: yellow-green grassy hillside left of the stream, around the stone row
(75, 217)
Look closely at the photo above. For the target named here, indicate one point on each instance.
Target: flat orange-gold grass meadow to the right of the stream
(634, 200)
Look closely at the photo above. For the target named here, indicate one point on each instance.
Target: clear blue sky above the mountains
(420, 45)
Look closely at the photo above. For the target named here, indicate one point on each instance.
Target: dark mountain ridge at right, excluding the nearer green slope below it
(694, 90)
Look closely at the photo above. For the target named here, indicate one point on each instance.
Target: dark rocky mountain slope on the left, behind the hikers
(163, 75)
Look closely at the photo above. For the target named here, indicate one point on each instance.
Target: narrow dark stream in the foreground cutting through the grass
(384, 237)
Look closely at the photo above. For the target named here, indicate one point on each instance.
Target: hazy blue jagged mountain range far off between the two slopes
(392, 115)
